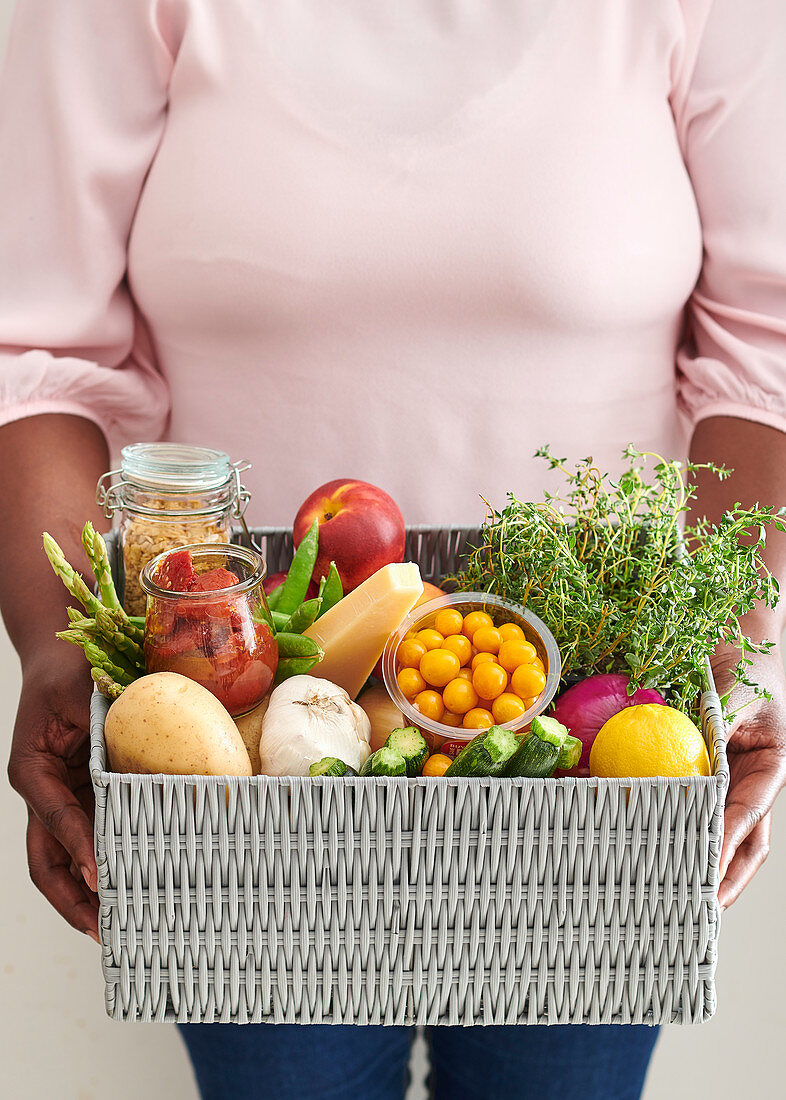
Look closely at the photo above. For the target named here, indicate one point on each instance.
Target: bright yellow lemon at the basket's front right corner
(650, 740)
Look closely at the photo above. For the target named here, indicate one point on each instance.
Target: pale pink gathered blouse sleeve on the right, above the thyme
(730, 111)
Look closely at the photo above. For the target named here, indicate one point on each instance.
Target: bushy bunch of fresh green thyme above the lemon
(606, 567)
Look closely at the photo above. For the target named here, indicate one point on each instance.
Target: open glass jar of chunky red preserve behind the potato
(207, 620)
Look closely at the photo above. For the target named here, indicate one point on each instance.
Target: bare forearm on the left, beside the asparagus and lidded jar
(49, 468)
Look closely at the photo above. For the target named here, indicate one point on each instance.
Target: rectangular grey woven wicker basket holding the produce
(422, 901)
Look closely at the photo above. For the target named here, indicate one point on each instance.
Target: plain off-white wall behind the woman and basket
(56, 1041)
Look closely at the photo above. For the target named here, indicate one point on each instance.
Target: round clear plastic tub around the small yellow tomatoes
(502, 611)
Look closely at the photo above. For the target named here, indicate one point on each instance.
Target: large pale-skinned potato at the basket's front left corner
(167, 723)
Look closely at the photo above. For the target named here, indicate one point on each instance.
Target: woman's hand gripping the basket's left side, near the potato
(49, 767)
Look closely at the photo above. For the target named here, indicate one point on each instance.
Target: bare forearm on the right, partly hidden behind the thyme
(758, 457)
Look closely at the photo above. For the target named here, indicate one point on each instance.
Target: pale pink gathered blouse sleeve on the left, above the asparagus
(83, 106)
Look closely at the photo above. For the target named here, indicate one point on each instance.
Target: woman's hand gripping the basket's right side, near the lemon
(757, 752)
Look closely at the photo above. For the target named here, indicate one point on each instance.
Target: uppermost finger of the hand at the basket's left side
(41, 780)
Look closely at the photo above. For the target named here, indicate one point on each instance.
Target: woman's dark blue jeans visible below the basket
(323, 1062)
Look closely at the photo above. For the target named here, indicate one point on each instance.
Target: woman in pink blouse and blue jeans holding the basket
(408, 243)
